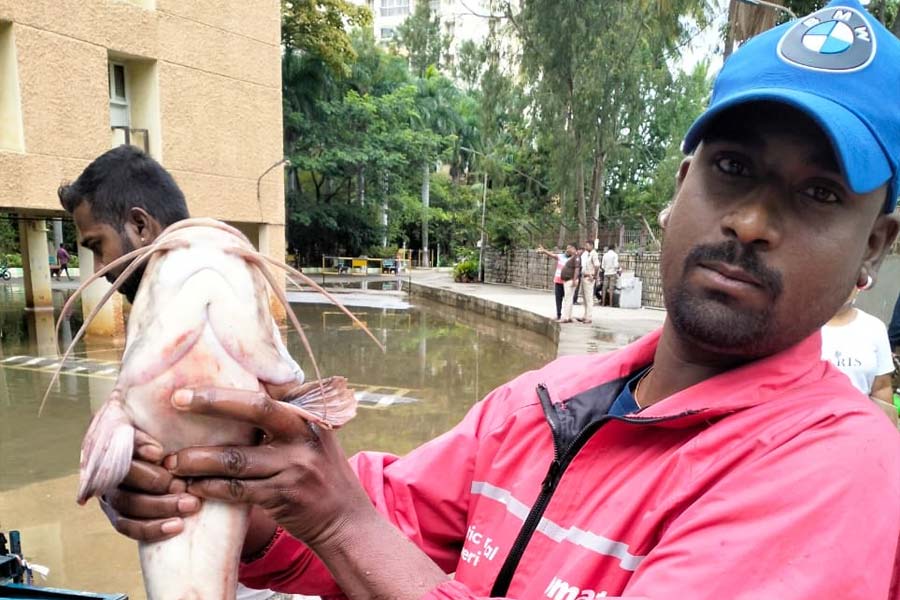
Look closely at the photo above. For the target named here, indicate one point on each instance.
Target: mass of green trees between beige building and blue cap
(568, 109)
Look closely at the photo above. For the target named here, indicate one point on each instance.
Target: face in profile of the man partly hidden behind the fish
(107, 243)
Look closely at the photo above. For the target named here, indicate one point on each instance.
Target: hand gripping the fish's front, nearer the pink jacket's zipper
(298, 475)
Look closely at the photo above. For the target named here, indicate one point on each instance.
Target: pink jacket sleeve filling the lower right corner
(809, 519)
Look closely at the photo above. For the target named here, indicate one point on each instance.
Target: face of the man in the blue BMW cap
(765, 239)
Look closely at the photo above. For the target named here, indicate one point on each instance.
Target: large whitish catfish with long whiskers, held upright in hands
(201, 317)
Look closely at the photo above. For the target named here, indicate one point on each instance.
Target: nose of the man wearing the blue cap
(757, 219)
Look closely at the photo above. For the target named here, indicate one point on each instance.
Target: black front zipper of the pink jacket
(561, 459)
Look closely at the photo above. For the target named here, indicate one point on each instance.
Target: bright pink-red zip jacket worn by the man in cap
(776, 480)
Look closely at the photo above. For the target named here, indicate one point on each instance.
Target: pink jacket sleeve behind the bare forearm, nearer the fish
(424, 494)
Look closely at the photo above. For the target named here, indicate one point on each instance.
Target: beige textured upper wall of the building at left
(209, 89)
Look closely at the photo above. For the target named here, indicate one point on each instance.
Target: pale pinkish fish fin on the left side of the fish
(106, 450)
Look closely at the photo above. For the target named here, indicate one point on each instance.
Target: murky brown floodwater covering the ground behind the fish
(438, 363)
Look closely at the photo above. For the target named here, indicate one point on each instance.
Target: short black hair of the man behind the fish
(121, 179)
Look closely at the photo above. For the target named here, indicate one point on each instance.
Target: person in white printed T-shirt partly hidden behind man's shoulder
(857, 344)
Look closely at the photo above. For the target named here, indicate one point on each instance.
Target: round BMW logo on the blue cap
(834, 39)
